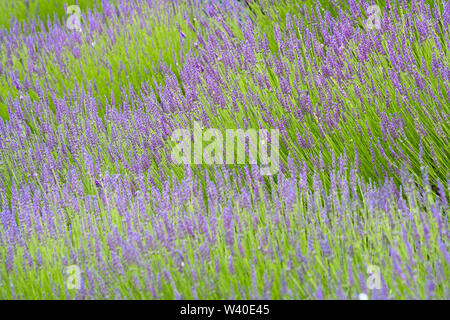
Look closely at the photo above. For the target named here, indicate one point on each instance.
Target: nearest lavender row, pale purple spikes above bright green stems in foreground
(135, 241)
